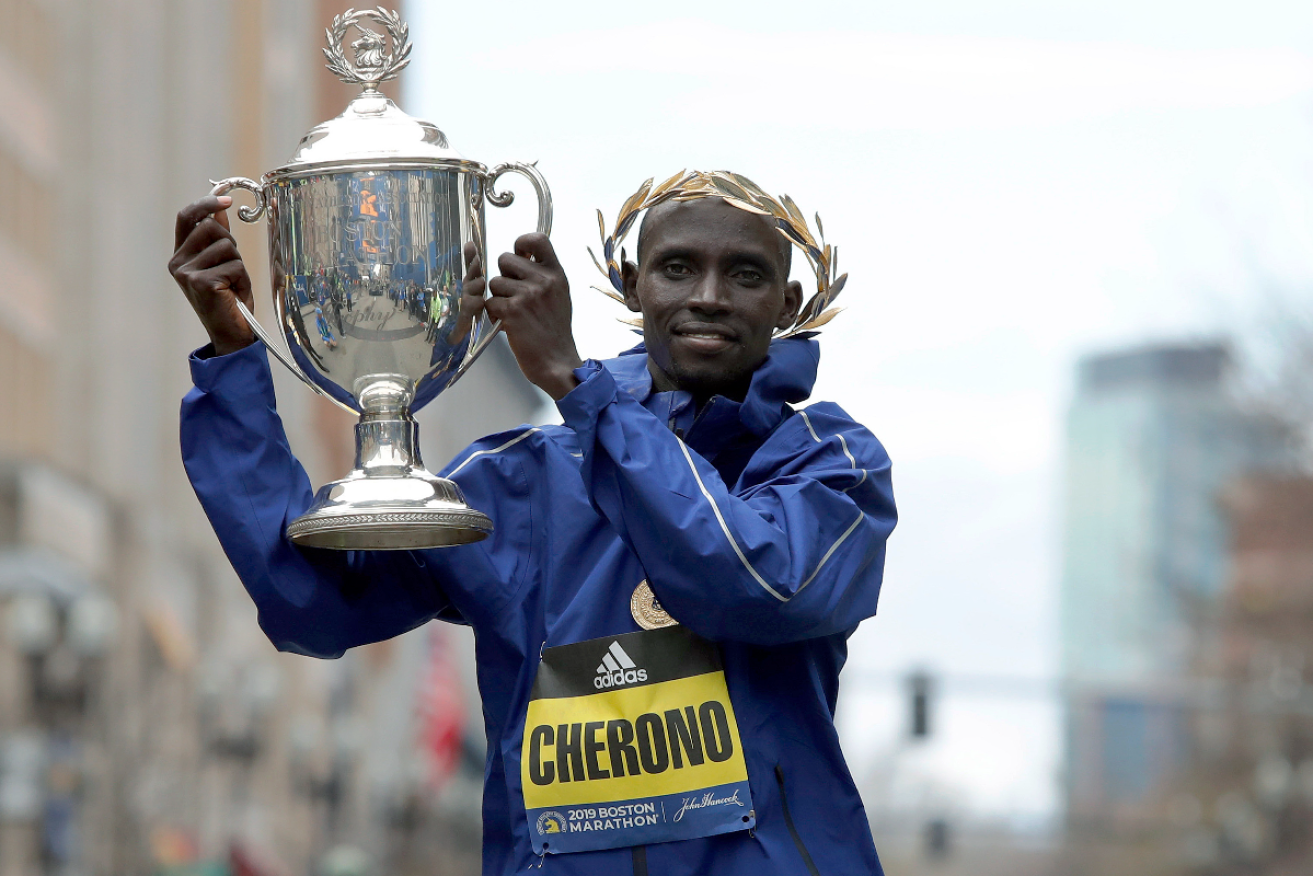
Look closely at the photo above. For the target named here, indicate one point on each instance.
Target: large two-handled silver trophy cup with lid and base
(367, 229)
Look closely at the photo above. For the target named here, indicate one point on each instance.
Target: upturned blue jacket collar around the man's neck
(786, 378)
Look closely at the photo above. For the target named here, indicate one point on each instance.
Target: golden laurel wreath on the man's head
(745, 195)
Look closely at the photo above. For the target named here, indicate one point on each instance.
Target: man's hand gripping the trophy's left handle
(208, 269)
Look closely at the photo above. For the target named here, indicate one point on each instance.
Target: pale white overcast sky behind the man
(1010, 186)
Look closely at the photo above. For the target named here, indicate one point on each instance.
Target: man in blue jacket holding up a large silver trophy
(661, 614)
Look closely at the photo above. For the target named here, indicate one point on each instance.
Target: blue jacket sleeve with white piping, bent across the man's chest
(798, 555)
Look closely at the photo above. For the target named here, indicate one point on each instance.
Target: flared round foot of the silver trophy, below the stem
(372, 513)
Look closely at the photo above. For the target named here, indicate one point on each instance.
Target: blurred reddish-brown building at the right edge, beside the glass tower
(1248, 794)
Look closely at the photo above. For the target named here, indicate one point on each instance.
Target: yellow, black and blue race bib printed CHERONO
(631, 740)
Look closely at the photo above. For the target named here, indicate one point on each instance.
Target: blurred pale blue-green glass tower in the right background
(1153, 437)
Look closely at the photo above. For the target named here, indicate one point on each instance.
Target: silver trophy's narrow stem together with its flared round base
(389, 502)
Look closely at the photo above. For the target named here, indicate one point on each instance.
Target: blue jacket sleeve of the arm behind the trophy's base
(311, 602)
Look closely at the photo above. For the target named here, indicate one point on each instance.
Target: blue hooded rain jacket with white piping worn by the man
(758, 527)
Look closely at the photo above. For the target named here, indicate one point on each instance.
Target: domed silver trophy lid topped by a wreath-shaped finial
(372, 128)
